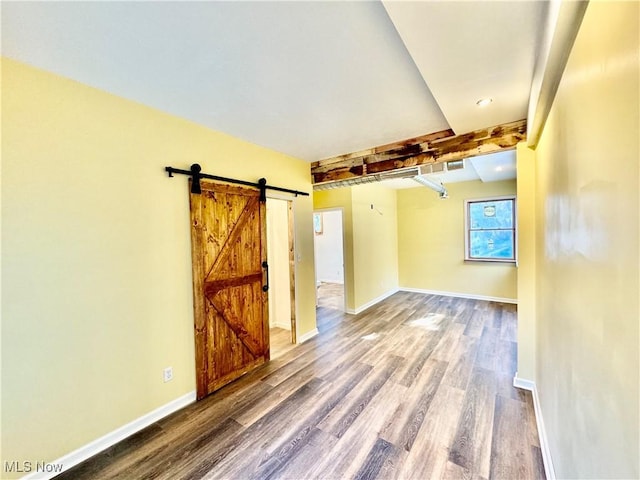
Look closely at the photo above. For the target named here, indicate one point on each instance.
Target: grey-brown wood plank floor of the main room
(416, 387)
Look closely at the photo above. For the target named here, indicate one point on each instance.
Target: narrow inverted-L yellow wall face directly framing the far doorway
(341, 198)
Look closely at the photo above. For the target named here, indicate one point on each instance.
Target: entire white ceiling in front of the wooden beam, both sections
(310, 79)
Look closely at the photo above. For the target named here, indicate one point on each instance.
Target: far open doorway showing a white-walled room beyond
(329, 259)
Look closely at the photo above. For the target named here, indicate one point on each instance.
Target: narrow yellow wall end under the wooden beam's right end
(526, 270)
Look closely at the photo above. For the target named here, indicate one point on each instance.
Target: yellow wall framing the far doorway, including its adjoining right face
(371, 241)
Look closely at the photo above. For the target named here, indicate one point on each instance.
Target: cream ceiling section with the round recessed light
(470, 50)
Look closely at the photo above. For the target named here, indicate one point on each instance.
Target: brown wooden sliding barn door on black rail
(228, 238)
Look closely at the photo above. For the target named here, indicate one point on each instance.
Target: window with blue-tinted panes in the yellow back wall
(490, 229)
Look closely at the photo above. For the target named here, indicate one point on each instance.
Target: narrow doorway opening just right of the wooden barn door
(281, 260)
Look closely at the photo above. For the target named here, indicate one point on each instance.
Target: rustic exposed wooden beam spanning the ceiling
(435, 147)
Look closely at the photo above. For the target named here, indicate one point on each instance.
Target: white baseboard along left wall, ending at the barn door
(83, 453)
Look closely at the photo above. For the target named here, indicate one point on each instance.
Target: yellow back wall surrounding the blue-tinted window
(431, 243)
